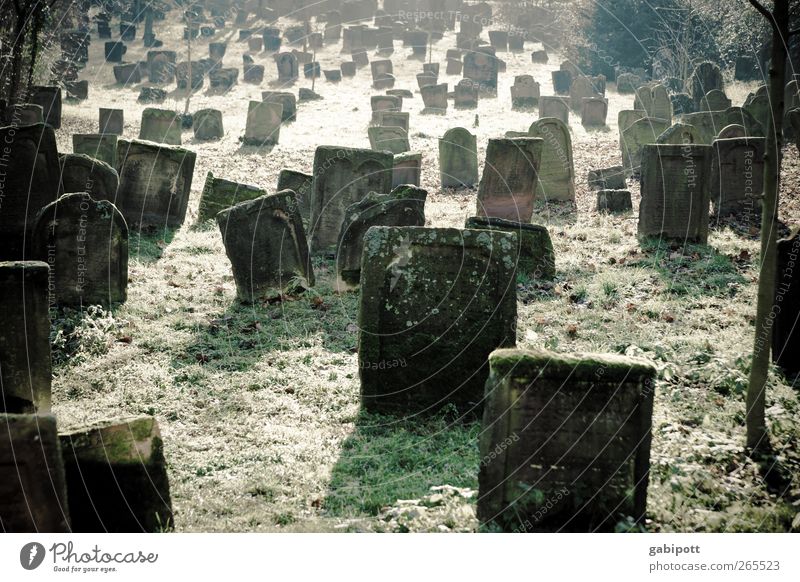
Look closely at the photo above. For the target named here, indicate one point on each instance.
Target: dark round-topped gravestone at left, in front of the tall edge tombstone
(85, 243)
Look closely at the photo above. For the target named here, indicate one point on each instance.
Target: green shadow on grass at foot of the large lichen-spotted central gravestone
(388, 458)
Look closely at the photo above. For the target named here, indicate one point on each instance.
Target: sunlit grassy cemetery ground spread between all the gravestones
(259, 404)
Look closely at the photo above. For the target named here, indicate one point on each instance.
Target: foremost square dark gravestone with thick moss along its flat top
(566, 445)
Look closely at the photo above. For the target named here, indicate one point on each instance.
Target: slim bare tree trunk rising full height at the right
(757, 437)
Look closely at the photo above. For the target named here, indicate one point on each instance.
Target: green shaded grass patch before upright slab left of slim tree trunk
(690, 270)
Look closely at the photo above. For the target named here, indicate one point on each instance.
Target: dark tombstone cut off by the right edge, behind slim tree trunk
(785, 330)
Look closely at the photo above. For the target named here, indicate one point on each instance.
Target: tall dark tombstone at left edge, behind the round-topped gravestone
(31, 181)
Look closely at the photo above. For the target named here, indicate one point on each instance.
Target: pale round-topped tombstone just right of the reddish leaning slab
(556, 172)
